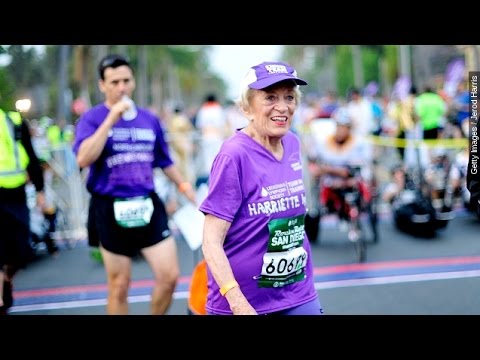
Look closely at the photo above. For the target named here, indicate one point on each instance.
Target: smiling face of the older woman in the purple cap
(271, 109)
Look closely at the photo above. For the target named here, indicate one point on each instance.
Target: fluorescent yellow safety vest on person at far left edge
(13, 156)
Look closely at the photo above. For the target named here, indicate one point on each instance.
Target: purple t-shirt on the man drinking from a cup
(125, 166)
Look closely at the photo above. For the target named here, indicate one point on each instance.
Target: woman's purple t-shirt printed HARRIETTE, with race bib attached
(264, 199)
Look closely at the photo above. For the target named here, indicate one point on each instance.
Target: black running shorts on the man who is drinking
(103, 228)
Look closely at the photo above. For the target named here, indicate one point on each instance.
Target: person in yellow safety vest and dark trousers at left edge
(18, 165)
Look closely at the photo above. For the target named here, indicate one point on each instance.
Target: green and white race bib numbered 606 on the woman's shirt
(285, 260)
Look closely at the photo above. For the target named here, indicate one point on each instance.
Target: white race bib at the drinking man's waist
(133, 212)
